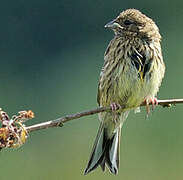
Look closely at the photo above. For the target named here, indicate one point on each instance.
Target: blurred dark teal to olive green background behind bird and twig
(51, 53)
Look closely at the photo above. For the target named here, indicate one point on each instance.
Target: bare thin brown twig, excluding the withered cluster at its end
(60, 121)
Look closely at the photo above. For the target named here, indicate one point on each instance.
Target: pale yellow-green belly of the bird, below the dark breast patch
(127, 88)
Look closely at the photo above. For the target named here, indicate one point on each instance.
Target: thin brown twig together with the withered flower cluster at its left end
(14, 133)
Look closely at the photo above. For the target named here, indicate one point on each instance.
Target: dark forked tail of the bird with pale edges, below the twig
(105, 150)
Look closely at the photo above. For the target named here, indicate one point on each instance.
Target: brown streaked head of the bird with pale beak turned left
(132, 22)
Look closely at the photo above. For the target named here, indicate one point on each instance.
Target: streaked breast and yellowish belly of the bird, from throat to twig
(127, 77)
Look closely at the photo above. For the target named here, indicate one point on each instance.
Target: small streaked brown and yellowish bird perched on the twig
(132, 74)
